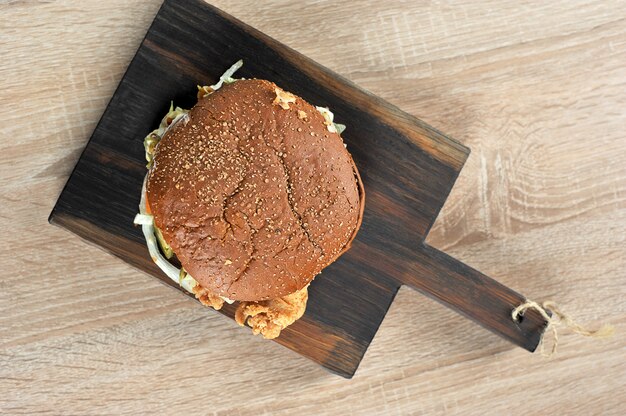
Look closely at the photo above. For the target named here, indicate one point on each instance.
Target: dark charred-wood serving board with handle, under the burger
(408, 169)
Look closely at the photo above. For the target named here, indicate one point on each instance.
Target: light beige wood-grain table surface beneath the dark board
(536, 89)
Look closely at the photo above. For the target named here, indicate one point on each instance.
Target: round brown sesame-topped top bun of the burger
(255, 199)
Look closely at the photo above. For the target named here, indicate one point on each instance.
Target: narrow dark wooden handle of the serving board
(471, 293)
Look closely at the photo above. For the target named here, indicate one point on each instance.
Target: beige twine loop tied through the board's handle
(558, 318)
